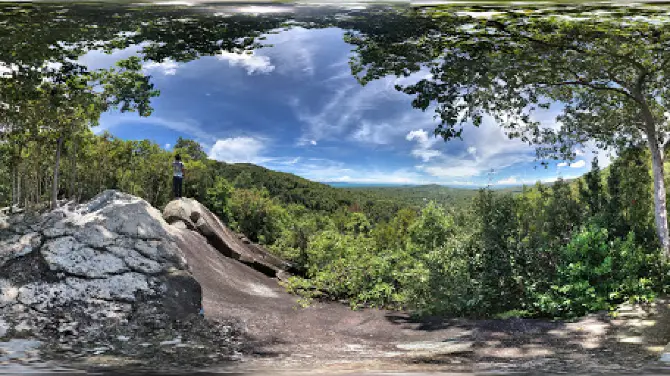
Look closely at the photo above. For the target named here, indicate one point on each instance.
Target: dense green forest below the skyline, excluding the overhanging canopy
(557, 250)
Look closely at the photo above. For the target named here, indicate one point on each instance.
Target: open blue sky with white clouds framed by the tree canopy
(295, 107)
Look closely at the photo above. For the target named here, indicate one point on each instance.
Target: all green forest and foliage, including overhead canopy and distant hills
(559, 250)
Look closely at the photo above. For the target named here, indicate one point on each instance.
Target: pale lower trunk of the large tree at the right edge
(660, 208)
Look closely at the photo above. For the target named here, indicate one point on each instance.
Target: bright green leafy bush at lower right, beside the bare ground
(596, 273)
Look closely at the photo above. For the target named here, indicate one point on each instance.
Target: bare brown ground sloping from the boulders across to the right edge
(331, 338)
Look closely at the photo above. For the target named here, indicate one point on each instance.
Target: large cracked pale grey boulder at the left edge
(107, 259)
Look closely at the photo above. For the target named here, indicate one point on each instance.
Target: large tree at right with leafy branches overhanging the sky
(608, 76)
